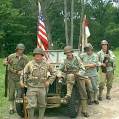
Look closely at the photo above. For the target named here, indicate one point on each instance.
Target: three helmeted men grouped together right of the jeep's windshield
(91, 72)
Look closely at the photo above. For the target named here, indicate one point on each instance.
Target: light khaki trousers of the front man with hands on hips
(36, 99)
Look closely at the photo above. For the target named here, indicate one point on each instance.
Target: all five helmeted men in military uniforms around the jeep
(82, 70)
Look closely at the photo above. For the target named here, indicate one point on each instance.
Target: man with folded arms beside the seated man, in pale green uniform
(90, 61)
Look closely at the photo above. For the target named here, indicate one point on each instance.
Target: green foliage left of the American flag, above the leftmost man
(16, 26)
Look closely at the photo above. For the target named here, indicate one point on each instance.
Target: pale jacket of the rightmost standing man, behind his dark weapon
(101, 56)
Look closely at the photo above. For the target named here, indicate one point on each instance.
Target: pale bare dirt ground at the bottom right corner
(106, 109)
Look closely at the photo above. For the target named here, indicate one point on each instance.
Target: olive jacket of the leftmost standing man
(16, 64)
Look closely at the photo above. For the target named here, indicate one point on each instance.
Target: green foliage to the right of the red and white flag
(105, 23)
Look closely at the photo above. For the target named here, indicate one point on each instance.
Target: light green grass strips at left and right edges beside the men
(4, 101)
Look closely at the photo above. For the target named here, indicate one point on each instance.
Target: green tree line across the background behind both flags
(18, 22)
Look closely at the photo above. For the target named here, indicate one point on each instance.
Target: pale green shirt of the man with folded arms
(92, 59)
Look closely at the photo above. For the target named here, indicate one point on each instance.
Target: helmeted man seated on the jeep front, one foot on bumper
(71, 67)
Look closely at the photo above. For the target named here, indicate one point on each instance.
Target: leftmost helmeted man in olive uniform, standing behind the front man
(16, 62)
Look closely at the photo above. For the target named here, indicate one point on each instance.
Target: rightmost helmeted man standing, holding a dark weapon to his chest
(107, 60)
